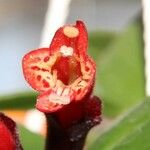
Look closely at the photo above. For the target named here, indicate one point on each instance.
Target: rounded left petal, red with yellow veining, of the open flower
(35, 68)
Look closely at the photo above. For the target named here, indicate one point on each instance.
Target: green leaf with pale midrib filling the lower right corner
(131, 133)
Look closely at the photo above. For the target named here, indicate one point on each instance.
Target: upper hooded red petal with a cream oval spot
(78, 41)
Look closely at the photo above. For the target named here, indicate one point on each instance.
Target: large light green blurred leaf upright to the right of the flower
(120, 72)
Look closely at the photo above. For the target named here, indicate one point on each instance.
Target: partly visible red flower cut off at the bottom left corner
(8, 137)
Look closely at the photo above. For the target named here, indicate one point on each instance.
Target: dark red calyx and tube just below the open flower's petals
(86, 110)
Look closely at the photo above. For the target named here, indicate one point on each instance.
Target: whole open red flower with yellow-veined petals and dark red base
(64, 75)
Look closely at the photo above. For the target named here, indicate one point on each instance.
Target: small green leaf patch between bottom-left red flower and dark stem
(30, 141)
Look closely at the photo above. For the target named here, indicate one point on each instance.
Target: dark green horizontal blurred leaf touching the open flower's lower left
(24, 100)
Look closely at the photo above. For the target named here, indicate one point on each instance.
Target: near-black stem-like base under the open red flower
(58, 138)
